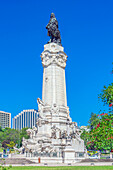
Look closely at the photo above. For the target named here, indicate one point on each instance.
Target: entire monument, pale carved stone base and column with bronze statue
(56, 137)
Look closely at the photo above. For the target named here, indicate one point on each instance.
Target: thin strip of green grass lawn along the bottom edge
(64, 168)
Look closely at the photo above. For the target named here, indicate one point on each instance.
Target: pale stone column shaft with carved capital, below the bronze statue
(54, 85)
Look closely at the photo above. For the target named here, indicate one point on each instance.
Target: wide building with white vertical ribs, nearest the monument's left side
(27, 118)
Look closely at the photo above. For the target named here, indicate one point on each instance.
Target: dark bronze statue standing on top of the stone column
(53, 31)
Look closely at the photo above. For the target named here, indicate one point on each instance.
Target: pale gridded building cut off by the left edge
(5, 119)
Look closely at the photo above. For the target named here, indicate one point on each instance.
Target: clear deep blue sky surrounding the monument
(87, 37)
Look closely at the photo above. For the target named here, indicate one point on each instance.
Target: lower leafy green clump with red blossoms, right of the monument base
(100, 137)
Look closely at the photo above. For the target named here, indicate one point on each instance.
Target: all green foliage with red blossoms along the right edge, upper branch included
(100, 136)
